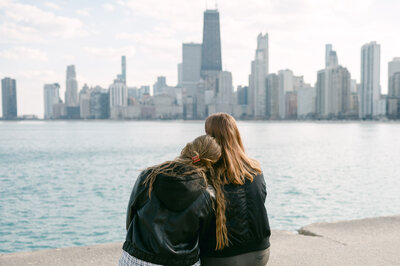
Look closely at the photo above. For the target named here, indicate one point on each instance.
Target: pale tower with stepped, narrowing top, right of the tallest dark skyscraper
(257, 78)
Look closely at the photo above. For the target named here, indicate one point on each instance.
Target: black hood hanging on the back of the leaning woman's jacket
(180, 191)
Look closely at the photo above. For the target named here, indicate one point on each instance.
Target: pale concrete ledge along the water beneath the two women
(369, 241)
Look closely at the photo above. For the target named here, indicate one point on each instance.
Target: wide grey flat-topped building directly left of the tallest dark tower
(191, 65)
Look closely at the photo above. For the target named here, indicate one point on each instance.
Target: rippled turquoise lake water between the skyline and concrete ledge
(68, 183)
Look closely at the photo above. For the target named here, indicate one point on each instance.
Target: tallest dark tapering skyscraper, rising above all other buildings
(211, 48)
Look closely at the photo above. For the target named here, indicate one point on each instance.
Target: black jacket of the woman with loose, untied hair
(246, 220)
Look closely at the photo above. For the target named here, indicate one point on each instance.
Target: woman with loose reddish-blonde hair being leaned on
(244, 193)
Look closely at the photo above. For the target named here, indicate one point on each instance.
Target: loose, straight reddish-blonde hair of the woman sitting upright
(234, 166)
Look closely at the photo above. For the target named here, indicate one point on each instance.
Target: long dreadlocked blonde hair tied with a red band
(201, 154)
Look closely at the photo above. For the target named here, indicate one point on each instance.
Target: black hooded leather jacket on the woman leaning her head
(166, 228)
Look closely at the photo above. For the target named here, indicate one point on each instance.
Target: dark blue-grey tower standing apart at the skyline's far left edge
(9, 98)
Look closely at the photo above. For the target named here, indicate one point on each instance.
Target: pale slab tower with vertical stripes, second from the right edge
(370, 80)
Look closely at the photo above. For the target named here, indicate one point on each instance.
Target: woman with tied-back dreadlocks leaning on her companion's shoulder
(171, 207)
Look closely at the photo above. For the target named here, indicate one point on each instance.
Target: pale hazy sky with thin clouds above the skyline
(38, 39)
